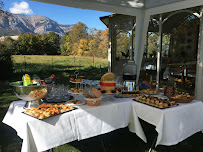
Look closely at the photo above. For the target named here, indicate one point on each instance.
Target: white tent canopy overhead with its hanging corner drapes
(143, 10)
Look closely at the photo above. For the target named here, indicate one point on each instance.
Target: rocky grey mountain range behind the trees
(14, 24)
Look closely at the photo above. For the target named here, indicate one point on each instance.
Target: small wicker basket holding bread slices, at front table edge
(93, 98)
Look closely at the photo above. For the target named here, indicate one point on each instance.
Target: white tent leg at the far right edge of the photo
(199, 69)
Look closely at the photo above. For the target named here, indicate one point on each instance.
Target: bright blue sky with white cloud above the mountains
(60, 14)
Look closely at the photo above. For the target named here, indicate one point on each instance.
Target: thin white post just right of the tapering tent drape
(159, 51)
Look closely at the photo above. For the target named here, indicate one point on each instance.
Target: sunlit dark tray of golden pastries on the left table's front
(47, 110)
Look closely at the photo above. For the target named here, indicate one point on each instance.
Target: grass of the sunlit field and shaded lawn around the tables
(63, 67)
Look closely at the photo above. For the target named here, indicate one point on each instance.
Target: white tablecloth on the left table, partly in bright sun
(85, 122)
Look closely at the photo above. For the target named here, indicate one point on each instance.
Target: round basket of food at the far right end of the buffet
(182, 98)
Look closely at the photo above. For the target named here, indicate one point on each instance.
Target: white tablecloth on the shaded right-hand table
(172, 124)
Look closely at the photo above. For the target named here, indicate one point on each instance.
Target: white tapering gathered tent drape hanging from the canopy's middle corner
(142, 23)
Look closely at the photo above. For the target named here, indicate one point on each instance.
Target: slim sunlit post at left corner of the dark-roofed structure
(110, 49)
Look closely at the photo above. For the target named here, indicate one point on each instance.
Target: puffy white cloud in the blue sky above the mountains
(21, 8)
